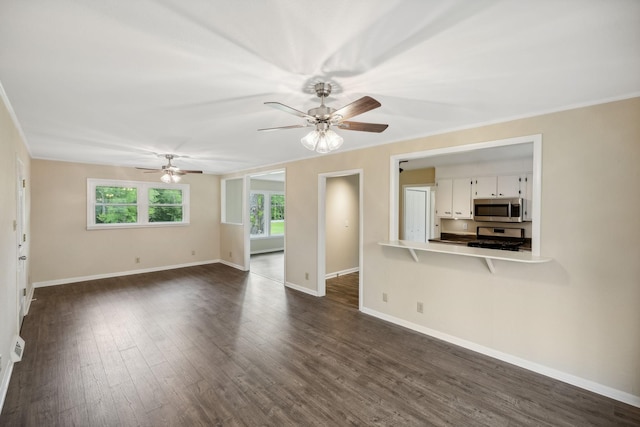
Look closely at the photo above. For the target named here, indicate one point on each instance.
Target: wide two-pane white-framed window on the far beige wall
(117, 204)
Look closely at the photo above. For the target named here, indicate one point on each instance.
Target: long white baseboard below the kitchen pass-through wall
(514, 360)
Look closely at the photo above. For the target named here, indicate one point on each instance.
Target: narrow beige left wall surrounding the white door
(12, 148)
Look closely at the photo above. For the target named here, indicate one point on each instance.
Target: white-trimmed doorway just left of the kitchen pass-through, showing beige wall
(340, 223)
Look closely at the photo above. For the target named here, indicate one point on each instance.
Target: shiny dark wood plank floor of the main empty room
(210, 345)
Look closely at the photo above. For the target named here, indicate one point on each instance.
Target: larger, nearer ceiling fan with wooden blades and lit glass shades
(322, 139)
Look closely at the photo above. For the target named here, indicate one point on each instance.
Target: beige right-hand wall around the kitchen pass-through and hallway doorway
(579, 314)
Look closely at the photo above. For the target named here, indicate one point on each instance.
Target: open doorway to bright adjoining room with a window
(266, 224)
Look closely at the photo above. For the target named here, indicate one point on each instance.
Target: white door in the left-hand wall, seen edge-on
(21, 240)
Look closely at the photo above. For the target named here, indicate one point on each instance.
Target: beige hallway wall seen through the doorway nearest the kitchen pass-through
(342, 224)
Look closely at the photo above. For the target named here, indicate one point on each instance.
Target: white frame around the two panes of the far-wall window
(142, 188)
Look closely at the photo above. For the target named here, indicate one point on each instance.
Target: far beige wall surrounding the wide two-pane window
(64, 249)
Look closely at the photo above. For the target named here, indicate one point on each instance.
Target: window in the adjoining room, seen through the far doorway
(266, 212)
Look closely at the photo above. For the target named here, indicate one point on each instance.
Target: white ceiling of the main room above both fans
(120, 82)
